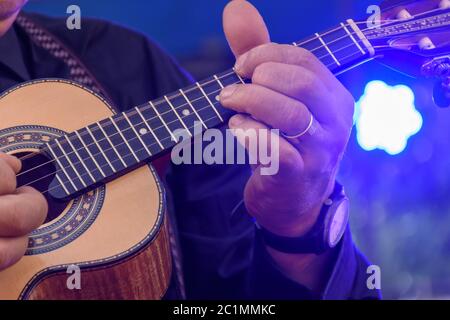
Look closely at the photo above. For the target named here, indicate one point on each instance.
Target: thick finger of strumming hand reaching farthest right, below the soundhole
(22, 212)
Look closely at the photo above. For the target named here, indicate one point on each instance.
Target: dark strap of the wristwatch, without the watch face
(312, 242)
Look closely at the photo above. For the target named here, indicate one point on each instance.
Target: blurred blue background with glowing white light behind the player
(400, 196)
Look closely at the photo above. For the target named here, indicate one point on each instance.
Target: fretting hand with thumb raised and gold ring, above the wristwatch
(289, 85)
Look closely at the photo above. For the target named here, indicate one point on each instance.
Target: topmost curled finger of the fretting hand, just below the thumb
(287, 54)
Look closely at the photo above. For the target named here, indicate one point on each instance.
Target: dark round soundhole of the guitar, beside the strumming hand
(38, 171)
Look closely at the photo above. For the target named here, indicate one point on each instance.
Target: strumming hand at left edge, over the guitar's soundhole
(21, 211)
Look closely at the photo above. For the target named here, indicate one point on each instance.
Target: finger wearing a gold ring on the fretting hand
(274, 109)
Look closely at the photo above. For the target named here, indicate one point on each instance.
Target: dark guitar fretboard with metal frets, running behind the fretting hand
(110, 148)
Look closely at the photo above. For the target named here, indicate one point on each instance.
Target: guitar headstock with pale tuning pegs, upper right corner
(414, 37)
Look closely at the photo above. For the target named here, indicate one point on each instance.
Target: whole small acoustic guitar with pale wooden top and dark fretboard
(106, 203)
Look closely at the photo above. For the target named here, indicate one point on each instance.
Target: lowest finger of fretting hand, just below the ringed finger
(282, 154)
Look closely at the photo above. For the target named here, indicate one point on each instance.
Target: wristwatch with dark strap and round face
(324, 235)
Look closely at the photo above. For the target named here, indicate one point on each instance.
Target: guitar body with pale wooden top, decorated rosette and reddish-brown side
(116, 234)
